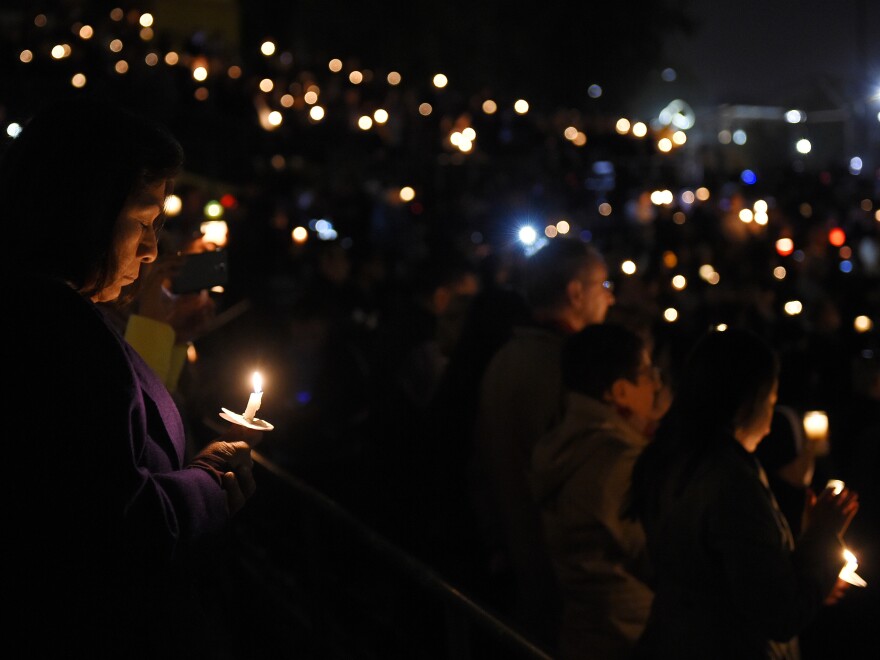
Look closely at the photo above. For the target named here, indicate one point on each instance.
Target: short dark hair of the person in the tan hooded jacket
(594, 358)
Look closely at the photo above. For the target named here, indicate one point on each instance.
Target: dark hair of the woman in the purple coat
(65, 179)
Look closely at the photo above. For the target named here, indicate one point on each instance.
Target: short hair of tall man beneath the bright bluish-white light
(550, 269)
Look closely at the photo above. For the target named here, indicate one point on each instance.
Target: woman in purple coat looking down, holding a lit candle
(107, 521)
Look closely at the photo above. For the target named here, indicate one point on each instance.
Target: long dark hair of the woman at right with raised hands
(726, 380)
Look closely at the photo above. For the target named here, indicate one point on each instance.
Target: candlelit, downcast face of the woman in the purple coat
(134, 240)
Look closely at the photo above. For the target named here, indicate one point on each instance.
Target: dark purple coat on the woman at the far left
(105, 522)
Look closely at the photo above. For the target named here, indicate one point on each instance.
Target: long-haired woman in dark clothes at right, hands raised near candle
(730, 580)
